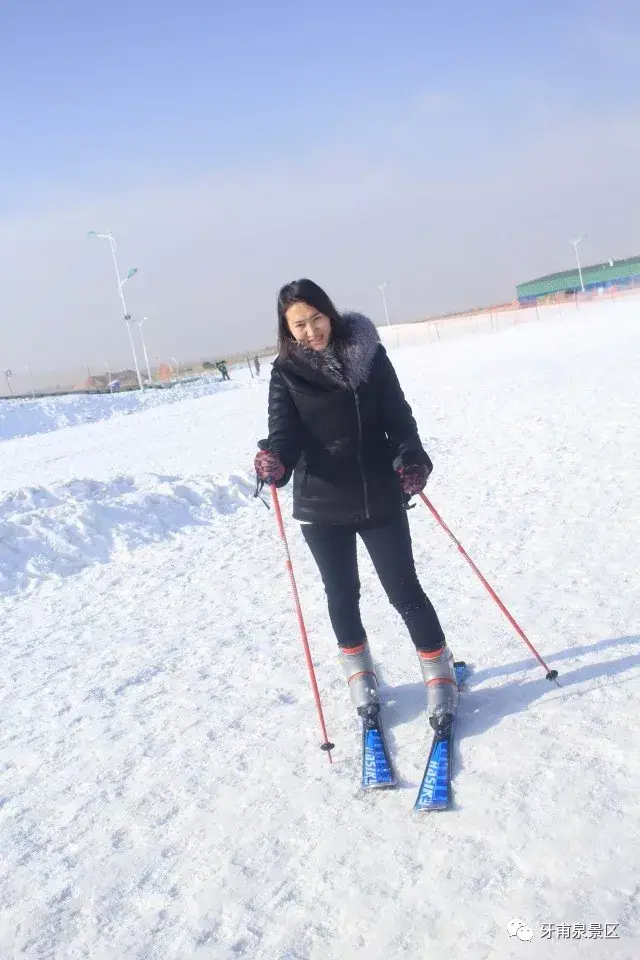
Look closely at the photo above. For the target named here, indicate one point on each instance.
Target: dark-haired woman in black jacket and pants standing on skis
(339, 422)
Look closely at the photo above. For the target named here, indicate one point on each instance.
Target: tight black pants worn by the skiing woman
(334, 549)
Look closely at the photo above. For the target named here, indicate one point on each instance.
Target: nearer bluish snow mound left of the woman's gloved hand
(51, 532)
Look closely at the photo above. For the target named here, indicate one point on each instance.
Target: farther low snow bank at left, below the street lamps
(24, 418)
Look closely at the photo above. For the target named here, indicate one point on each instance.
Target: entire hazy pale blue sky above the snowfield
(318, 123)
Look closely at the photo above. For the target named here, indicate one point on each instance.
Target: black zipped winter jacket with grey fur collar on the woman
(339, 421)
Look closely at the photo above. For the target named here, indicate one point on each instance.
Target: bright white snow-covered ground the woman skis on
(163, 794)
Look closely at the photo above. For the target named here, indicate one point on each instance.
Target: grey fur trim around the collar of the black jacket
(347, 362)
